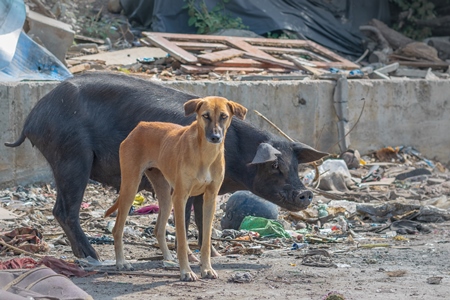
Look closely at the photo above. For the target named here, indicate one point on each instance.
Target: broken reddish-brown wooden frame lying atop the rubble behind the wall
(252, 47)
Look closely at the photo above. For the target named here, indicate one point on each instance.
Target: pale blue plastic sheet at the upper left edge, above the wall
(20, 57)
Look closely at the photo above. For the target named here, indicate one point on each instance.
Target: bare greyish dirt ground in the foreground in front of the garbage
(279, 274)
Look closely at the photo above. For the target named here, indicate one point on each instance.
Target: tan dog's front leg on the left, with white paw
(179, 204)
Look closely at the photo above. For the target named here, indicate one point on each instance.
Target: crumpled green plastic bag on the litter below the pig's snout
(263, 226)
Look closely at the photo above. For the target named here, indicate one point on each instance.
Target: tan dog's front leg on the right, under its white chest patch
(209, 208)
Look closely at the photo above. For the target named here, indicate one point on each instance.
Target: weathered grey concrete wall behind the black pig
(406, 112)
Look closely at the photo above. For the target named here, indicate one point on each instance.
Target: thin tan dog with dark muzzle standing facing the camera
(188, 159)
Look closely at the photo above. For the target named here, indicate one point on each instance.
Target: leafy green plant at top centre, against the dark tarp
(210, 21)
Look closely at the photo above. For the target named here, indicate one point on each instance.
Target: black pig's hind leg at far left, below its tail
(71, 177)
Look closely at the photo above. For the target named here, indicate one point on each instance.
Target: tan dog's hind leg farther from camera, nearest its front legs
(162, 190)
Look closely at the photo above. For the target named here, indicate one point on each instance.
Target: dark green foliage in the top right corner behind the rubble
(413, 10)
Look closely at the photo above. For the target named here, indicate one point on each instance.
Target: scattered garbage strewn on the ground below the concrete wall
(390, 194)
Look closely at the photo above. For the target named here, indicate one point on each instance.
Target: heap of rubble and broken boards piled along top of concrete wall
(102, 40)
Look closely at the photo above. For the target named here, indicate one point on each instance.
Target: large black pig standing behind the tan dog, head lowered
(80, 124)
